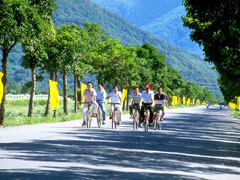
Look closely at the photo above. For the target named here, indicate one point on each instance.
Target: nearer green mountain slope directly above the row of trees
(191, 66)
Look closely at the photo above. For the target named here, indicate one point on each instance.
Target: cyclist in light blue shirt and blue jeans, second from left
(101, 95)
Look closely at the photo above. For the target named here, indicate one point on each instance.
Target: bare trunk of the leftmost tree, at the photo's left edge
(4, 82)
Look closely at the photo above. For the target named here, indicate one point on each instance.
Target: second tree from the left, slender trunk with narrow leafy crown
(33, 46)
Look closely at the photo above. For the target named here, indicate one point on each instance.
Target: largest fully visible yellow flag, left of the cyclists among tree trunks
(54, 95)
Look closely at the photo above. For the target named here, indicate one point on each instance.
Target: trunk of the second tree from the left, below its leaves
(33, 88)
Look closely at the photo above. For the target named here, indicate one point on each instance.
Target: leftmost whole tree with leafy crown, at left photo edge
(18, 20)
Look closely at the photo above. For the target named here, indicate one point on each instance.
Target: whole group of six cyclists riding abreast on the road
(139, 101)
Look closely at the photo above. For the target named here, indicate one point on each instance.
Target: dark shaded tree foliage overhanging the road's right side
(215, 25)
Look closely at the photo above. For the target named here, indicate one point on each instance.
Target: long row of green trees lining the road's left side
(80, 50)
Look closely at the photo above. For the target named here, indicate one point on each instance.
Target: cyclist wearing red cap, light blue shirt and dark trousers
(147, 101)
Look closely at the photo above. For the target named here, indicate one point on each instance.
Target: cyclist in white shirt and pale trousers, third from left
(116, 98)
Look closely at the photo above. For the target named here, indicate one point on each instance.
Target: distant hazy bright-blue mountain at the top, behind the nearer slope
(159, 17)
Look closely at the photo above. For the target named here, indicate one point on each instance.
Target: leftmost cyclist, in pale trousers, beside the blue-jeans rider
(89, 96)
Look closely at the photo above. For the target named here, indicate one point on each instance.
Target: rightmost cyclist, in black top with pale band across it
(160, 100)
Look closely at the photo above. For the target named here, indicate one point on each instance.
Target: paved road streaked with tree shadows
(195, 143)
